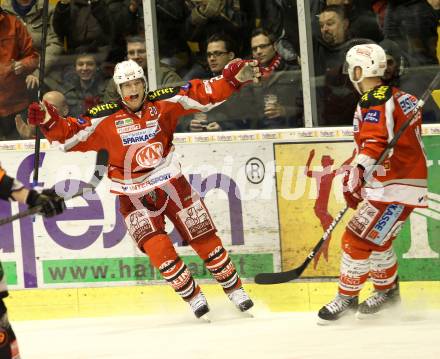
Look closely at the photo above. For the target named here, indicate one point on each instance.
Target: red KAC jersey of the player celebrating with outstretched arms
(141, 155)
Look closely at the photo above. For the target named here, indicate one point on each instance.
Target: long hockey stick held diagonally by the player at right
(283, 277)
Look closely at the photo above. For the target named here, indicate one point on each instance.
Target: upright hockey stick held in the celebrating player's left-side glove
(41, 72)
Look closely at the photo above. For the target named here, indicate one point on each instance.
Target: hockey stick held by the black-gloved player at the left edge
(98, 174)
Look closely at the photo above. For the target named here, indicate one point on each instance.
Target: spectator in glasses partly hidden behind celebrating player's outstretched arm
(219, 52)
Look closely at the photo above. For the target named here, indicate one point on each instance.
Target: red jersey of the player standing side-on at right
(403, 176)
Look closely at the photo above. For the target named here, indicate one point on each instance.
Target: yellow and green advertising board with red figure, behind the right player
(306, 208)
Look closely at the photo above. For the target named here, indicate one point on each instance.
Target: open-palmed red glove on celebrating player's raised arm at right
(238, 72)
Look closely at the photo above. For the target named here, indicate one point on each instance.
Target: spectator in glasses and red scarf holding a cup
(276, 102)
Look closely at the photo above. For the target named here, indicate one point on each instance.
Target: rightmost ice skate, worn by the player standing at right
(379, 301)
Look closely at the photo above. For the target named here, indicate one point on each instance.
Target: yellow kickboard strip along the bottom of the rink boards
(155, 299)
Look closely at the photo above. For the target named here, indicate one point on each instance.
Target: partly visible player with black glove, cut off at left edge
(51, 205)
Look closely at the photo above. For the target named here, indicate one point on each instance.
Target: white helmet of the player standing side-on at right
(371, 58)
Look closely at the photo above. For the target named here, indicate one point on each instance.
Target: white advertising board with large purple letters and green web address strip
(89, 243)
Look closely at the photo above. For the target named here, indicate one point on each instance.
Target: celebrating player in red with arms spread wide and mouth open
(145, 171)
